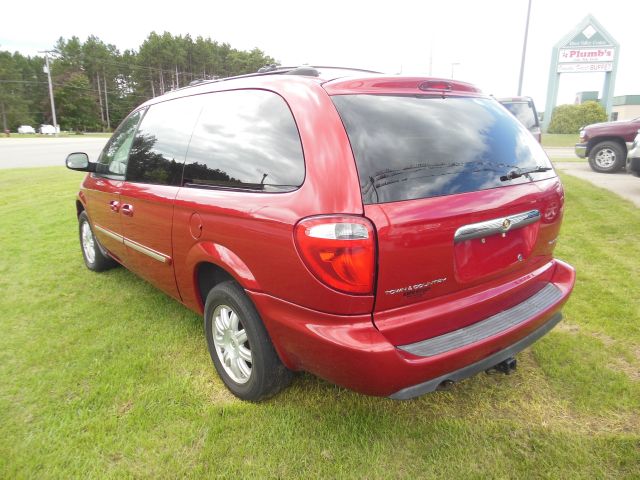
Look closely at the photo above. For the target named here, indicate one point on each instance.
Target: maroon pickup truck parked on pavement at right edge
(606, 144)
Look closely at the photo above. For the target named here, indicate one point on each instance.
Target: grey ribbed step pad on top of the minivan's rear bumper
(489, 327)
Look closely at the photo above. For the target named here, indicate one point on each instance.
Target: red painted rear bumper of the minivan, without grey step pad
(350, 351)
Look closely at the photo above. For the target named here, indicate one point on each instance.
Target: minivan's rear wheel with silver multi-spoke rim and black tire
(239, 345)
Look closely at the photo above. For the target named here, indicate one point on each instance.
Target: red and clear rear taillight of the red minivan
(339, 250)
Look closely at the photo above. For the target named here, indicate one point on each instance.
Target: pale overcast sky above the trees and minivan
(483, 38)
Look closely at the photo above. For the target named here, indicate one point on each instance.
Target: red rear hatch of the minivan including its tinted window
(462, 197)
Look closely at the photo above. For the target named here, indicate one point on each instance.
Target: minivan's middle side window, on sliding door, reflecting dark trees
(160, 144)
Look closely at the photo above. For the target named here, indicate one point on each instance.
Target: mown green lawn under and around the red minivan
(103, 376)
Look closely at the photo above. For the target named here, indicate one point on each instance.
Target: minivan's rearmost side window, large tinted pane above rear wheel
(245, 139)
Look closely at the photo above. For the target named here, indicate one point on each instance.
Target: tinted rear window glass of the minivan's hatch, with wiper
(409, 147)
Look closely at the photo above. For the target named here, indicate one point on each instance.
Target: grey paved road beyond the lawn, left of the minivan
(45, 152)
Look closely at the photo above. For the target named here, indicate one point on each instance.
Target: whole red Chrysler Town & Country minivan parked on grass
(389, 234)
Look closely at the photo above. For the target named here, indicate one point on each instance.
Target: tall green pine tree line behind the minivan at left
(95, 85)
